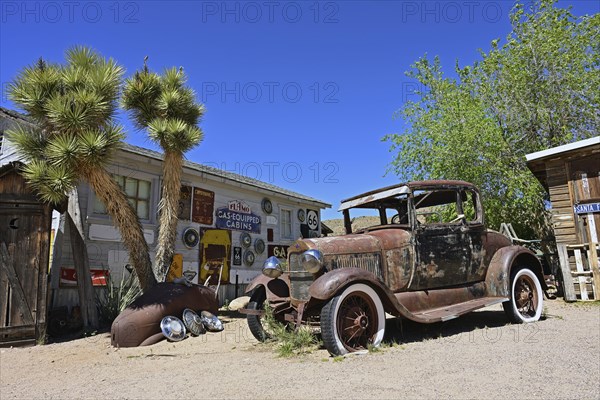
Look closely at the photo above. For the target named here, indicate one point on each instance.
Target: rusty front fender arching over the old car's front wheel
(327, 285)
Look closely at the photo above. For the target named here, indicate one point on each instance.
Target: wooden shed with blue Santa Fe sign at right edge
(570, 174)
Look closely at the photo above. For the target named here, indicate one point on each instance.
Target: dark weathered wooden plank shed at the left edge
(25, 225)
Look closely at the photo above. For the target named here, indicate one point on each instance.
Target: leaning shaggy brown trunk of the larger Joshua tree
(125, 219)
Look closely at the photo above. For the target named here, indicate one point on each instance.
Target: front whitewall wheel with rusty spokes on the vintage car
(353, 320)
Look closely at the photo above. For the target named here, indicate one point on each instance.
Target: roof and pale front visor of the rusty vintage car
(402, 188)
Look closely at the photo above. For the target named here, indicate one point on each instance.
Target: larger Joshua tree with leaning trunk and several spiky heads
(73, 106)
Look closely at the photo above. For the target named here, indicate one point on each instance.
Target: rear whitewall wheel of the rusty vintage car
(525, 304)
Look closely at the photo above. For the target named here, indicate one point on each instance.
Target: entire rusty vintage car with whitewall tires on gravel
(429, 259)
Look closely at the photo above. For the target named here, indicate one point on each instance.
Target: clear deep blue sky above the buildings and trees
(297, 93)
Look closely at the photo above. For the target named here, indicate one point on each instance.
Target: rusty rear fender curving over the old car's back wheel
(504, 260)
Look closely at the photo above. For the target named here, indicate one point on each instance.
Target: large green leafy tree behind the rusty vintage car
(536, 91)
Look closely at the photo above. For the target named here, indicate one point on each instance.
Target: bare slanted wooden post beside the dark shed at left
(87, 300)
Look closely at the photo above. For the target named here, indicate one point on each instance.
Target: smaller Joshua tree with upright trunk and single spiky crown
(168, 110)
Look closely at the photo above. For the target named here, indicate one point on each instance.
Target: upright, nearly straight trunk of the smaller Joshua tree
(169, 204)
